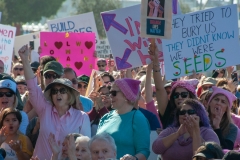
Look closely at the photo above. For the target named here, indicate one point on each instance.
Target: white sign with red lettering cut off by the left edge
(7, 36)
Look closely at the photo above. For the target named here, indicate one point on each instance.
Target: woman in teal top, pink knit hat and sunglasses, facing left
(128, 126)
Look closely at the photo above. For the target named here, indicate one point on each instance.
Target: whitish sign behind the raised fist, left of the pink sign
(25, 39)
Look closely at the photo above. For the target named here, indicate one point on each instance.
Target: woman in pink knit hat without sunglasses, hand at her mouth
(219, 109)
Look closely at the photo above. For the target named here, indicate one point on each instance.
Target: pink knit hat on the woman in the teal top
(129, 87)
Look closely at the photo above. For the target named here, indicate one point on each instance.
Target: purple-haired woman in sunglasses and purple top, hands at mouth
(190, 129)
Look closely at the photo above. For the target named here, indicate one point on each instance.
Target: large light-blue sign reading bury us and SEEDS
(202, 41)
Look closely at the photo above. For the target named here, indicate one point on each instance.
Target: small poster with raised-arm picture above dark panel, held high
(156, 18)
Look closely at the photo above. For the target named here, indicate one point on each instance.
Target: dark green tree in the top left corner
(28, 10)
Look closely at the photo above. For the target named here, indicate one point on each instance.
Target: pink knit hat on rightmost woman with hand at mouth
(231, 97)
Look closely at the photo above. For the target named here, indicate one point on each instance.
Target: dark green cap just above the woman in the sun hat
(54, 66)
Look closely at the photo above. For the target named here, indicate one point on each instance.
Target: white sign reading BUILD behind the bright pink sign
(79, 24)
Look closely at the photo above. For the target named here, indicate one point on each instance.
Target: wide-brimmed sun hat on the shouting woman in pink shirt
(61, 81)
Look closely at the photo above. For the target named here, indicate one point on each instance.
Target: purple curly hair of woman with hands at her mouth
(200, 112)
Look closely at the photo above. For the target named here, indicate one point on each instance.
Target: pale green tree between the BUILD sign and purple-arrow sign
(96, 6)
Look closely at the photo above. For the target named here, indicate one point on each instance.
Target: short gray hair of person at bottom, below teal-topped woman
(104, 137)
